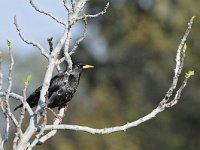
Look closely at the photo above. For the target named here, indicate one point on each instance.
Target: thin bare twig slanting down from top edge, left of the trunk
(47, 13)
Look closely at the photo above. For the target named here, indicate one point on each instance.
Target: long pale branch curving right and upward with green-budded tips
(162, 106)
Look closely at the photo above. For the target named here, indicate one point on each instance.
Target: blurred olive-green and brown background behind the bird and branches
(133, 48)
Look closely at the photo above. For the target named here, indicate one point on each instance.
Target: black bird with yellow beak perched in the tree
(61, 90)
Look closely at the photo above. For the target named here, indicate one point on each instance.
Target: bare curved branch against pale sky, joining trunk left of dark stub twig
(42, 50)
